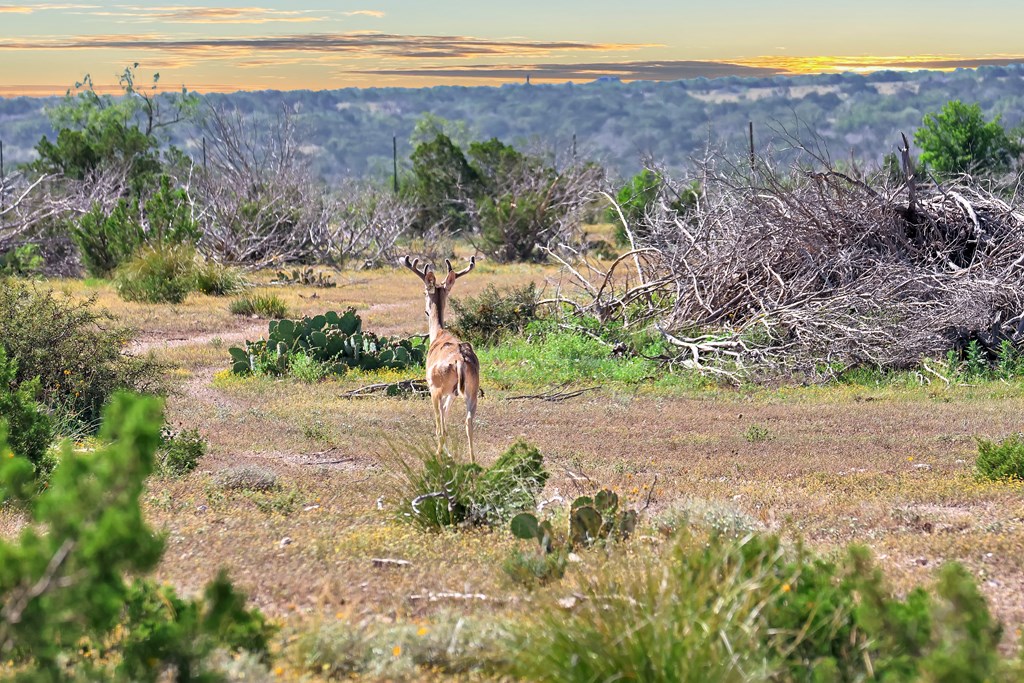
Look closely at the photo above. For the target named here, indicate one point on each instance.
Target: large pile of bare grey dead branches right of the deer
(815, 272)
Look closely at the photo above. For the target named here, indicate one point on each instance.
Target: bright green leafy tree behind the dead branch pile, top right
(958, 140)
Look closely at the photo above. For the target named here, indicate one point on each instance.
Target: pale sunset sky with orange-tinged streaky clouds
(47, 48)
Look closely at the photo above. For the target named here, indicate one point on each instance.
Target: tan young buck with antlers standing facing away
(453, 369)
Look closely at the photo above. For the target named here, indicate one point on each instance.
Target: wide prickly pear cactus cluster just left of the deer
(334, 339)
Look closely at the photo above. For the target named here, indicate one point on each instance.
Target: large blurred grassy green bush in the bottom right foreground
(727, 609)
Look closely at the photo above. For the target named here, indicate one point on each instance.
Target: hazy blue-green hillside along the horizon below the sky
(349, 133)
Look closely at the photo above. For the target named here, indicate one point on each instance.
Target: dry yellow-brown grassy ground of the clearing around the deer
(888, 467)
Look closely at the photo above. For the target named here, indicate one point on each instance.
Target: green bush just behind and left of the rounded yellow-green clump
(107, 240)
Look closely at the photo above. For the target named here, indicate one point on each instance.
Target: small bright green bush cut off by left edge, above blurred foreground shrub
(28, 428)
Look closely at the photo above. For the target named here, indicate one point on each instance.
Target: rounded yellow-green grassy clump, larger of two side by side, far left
(158, 275)
